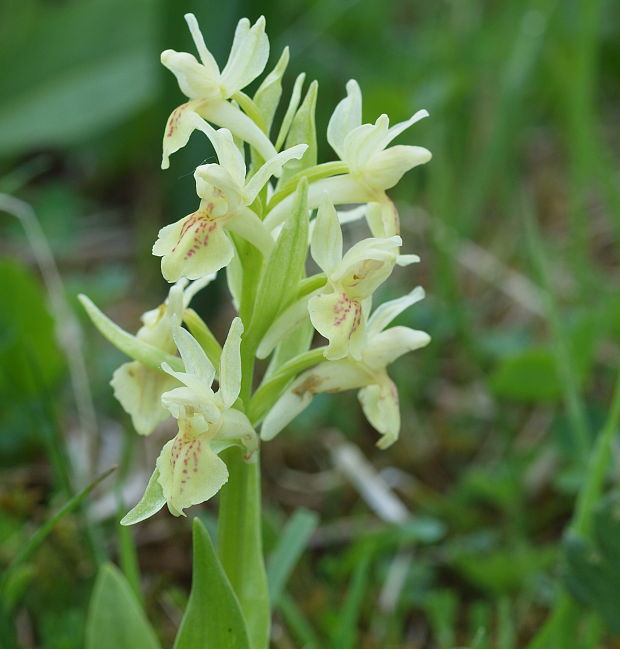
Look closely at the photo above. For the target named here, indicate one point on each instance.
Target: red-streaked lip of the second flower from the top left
(193, 247)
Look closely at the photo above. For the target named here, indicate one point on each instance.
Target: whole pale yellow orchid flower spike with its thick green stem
(258, 219)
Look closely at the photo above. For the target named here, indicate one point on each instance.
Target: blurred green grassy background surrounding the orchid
(516, 219)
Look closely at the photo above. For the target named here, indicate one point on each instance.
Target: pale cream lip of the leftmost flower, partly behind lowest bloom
(138, 389)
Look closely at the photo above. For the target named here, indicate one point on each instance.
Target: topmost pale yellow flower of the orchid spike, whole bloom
(209, 89)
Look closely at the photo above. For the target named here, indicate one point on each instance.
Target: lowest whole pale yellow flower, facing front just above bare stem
(189, 470)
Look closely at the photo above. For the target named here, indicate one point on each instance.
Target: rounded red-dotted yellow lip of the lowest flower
(189, 471)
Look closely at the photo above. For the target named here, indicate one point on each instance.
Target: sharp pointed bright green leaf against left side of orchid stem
(213, 618)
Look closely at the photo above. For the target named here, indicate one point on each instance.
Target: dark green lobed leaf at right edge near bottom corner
(593, 569)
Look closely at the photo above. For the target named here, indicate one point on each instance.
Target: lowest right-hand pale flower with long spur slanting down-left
(377, 392)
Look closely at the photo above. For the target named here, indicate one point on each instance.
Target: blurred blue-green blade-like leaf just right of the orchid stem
(289, 549)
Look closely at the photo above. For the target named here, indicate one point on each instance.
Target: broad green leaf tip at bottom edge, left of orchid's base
(115, 619)
